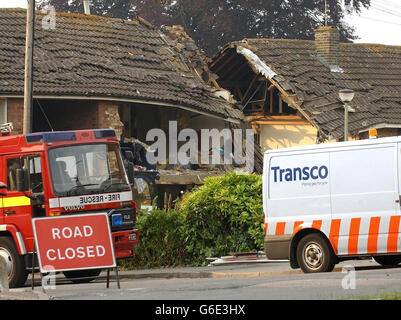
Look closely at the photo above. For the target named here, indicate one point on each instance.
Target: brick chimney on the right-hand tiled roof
(327, 42)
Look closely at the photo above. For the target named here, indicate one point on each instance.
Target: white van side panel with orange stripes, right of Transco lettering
(364, 194)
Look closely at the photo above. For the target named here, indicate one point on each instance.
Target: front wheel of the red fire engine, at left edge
(16, 271)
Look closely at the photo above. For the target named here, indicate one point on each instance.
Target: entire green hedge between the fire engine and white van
(221, 216)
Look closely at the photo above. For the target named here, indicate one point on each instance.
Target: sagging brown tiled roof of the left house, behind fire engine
(97, 57)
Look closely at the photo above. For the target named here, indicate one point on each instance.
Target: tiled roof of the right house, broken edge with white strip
(307, 83)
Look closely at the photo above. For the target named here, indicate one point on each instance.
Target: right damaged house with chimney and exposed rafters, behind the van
(289, 89)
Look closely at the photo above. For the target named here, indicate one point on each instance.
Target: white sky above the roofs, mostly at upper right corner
(379, 24)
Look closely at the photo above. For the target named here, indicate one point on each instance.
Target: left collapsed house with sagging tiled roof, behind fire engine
(97, 72)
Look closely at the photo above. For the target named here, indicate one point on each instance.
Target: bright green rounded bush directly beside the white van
(223, 215)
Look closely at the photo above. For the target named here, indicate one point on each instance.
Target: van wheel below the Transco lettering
(314, 254)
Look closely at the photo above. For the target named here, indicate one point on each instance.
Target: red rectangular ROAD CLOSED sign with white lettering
(74, 242)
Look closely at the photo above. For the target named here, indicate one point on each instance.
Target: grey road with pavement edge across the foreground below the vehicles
(350, 280)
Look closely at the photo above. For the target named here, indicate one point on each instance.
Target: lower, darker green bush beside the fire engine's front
(161, 238)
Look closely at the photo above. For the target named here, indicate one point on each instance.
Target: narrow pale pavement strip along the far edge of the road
(244, 269)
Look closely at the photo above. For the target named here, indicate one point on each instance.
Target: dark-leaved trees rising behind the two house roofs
(213, 23)
